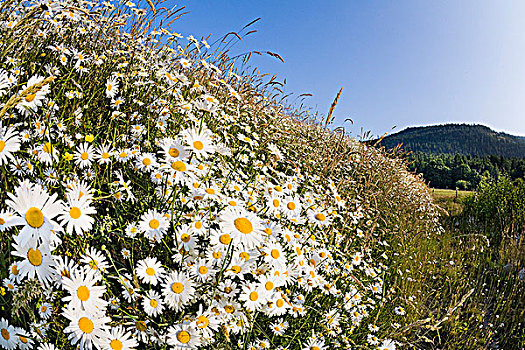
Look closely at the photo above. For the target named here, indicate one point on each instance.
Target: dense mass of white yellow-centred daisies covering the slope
(144, 200)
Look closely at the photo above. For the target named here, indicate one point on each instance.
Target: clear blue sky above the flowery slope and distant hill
(400, 63)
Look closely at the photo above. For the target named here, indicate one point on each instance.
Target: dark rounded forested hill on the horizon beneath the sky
(475, 140)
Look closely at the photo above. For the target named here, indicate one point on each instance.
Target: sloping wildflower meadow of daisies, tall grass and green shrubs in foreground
(159, 194)
